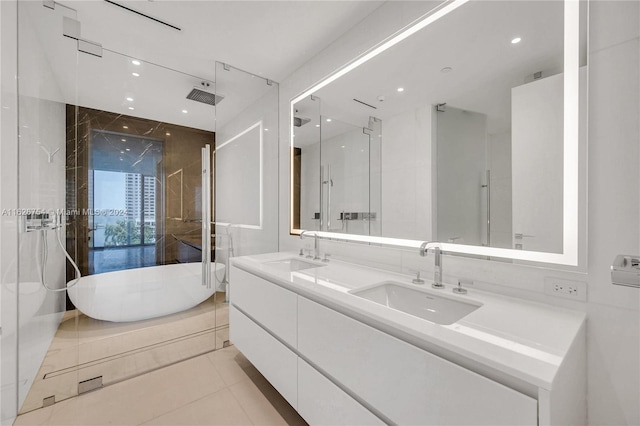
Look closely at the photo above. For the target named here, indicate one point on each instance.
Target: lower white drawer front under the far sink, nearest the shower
(273, 359)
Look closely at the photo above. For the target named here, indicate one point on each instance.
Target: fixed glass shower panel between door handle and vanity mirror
(246, 172)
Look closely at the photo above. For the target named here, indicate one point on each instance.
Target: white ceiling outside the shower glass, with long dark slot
(267, 38)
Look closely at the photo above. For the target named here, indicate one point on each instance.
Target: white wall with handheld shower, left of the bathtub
(41, 184)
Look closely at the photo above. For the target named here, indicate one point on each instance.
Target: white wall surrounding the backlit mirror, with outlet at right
(614, 200)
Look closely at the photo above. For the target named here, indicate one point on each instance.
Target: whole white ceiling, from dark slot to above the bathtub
(267, 38)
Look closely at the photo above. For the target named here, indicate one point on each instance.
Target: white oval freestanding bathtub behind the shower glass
(143, 293)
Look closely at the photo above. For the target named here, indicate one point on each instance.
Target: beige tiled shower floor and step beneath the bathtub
(84, 348)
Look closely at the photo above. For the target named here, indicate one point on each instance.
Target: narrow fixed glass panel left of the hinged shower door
(47, 335)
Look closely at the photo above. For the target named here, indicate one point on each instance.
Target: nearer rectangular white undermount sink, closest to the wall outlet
(422, 304)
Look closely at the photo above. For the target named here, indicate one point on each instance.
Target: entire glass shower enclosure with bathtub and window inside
(152, 179)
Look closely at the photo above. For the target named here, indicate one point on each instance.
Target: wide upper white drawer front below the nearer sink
(404, 383)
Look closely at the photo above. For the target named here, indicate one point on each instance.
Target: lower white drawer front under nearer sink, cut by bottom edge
(321, 402)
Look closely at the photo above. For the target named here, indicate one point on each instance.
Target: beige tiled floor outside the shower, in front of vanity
(218, 388)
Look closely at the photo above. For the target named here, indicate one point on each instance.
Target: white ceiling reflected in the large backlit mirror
(475, 41)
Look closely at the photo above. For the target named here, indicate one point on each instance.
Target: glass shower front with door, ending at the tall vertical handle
(113, 148)
